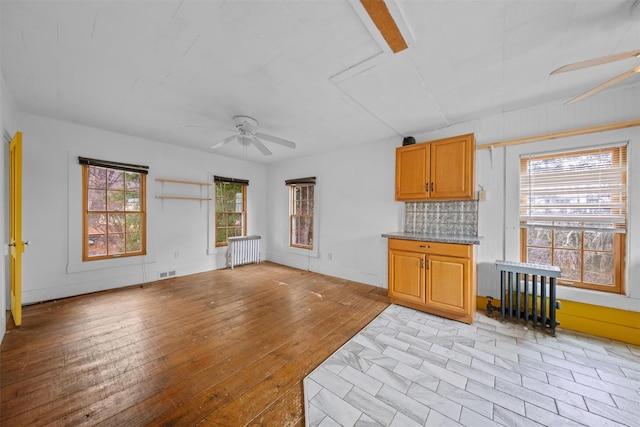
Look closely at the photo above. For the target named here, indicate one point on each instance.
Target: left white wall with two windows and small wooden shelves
(179, 236)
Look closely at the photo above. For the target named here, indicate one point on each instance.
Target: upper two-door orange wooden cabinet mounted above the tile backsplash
(437, 170)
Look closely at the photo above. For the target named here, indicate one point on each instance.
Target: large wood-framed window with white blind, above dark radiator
(573, 215)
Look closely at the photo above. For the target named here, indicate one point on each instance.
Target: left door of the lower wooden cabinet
(406, 276)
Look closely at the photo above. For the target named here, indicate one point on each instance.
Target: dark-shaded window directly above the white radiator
(231, 213)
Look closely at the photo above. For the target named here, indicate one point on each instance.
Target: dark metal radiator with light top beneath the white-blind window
(528, 294)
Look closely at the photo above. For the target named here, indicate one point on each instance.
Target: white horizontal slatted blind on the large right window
(585, 188)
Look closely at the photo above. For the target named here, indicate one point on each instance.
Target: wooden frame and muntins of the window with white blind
(619, 231)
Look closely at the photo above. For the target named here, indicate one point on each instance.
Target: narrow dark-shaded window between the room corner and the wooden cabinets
(301, 212)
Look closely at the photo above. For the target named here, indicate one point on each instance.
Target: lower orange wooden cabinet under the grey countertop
(437, 278)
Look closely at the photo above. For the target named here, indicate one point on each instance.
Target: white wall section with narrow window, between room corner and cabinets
(354, 206)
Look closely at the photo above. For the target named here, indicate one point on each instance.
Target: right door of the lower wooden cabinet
(448, 284)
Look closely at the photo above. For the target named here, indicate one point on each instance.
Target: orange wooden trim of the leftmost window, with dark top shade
(86, 163)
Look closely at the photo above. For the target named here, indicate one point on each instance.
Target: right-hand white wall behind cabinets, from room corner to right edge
(355, 195)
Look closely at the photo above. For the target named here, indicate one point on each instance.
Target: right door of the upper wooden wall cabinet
(452, 167)
